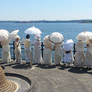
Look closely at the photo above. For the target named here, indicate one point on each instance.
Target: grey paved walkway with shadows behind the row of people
(59, 79)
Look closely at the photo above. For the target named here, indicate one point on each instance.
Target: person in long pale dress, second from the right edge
(79, 54)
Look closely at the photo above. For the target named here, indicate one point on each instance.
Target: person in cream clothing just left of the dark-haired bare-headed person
(18, 50)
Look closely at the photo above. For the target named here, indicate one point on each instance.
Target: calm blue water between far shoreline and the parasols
(69, 30)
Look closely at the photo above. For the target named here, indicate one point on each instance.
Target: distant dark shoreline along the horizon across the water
(49, 21)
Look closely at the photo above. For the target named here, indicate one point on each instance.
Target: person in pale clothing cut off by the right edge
(89, 54)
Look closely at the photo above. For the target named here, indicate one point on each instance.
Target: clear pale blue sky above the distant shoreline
(45, 9)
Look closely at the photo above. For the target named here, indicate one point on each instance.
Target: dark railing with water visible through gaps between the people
(12, 48)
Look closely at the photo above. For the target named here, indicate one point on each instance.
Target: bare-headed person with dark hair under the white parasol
(28, 51)
